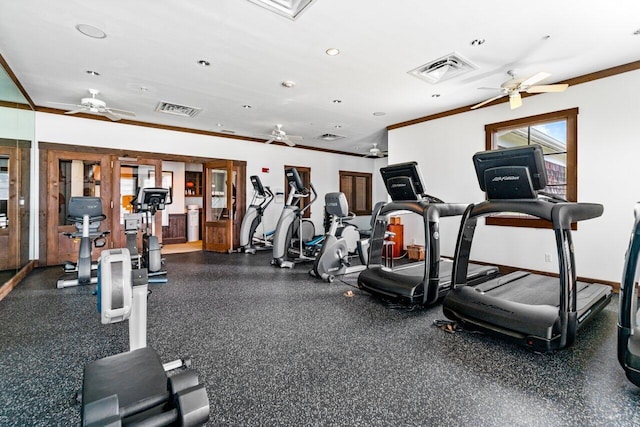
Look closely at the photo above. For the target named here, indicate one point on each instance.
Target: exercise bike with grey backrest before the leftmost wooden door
(86, 214)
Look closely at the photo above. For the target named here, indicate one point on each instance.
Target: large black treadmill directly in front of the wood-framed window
(539, 311)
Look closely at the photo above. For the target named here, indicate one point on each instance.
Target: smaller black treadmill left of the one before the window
(416, 283)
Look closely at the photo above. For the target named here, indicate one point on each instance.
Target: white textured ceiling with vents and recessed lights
(151, 53)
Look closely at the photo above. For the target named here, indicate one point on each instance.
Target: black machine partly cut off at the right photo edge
(628, 332)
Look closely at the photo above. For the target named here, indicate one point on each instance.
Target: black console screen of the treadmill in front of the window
(511, 173)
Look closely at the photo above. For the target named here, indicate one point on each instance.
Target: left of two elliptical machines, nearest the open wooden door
(249, 242)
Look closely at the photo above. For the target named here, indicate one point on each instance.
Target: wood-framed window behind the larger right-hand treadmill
(557, 134)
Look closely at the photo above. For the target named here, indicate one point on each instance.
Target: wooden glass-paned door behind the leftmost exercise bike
(71, 174)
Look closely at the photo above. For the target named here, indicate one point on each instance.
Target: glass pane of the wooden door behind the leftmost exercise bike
(76, 178)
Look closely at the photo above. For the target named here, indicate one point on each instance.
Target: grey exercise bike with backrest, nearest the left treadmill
(341, 241)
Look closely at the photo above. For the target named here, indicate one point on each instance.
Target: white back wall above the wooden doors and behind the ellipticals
(324, 166)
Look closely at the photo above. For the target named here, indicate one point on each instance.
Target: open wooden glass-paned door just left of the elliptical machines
(224, 204)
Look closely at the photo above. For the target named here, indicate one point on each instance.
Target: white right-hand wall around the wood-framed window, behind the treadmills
(608, 150)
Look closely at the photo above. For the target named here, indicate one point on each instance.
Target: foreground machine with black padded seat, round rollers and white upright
(133, 387)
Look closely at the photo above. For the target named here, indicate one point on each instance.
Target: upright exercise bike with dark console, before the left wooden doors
(145, 205)
